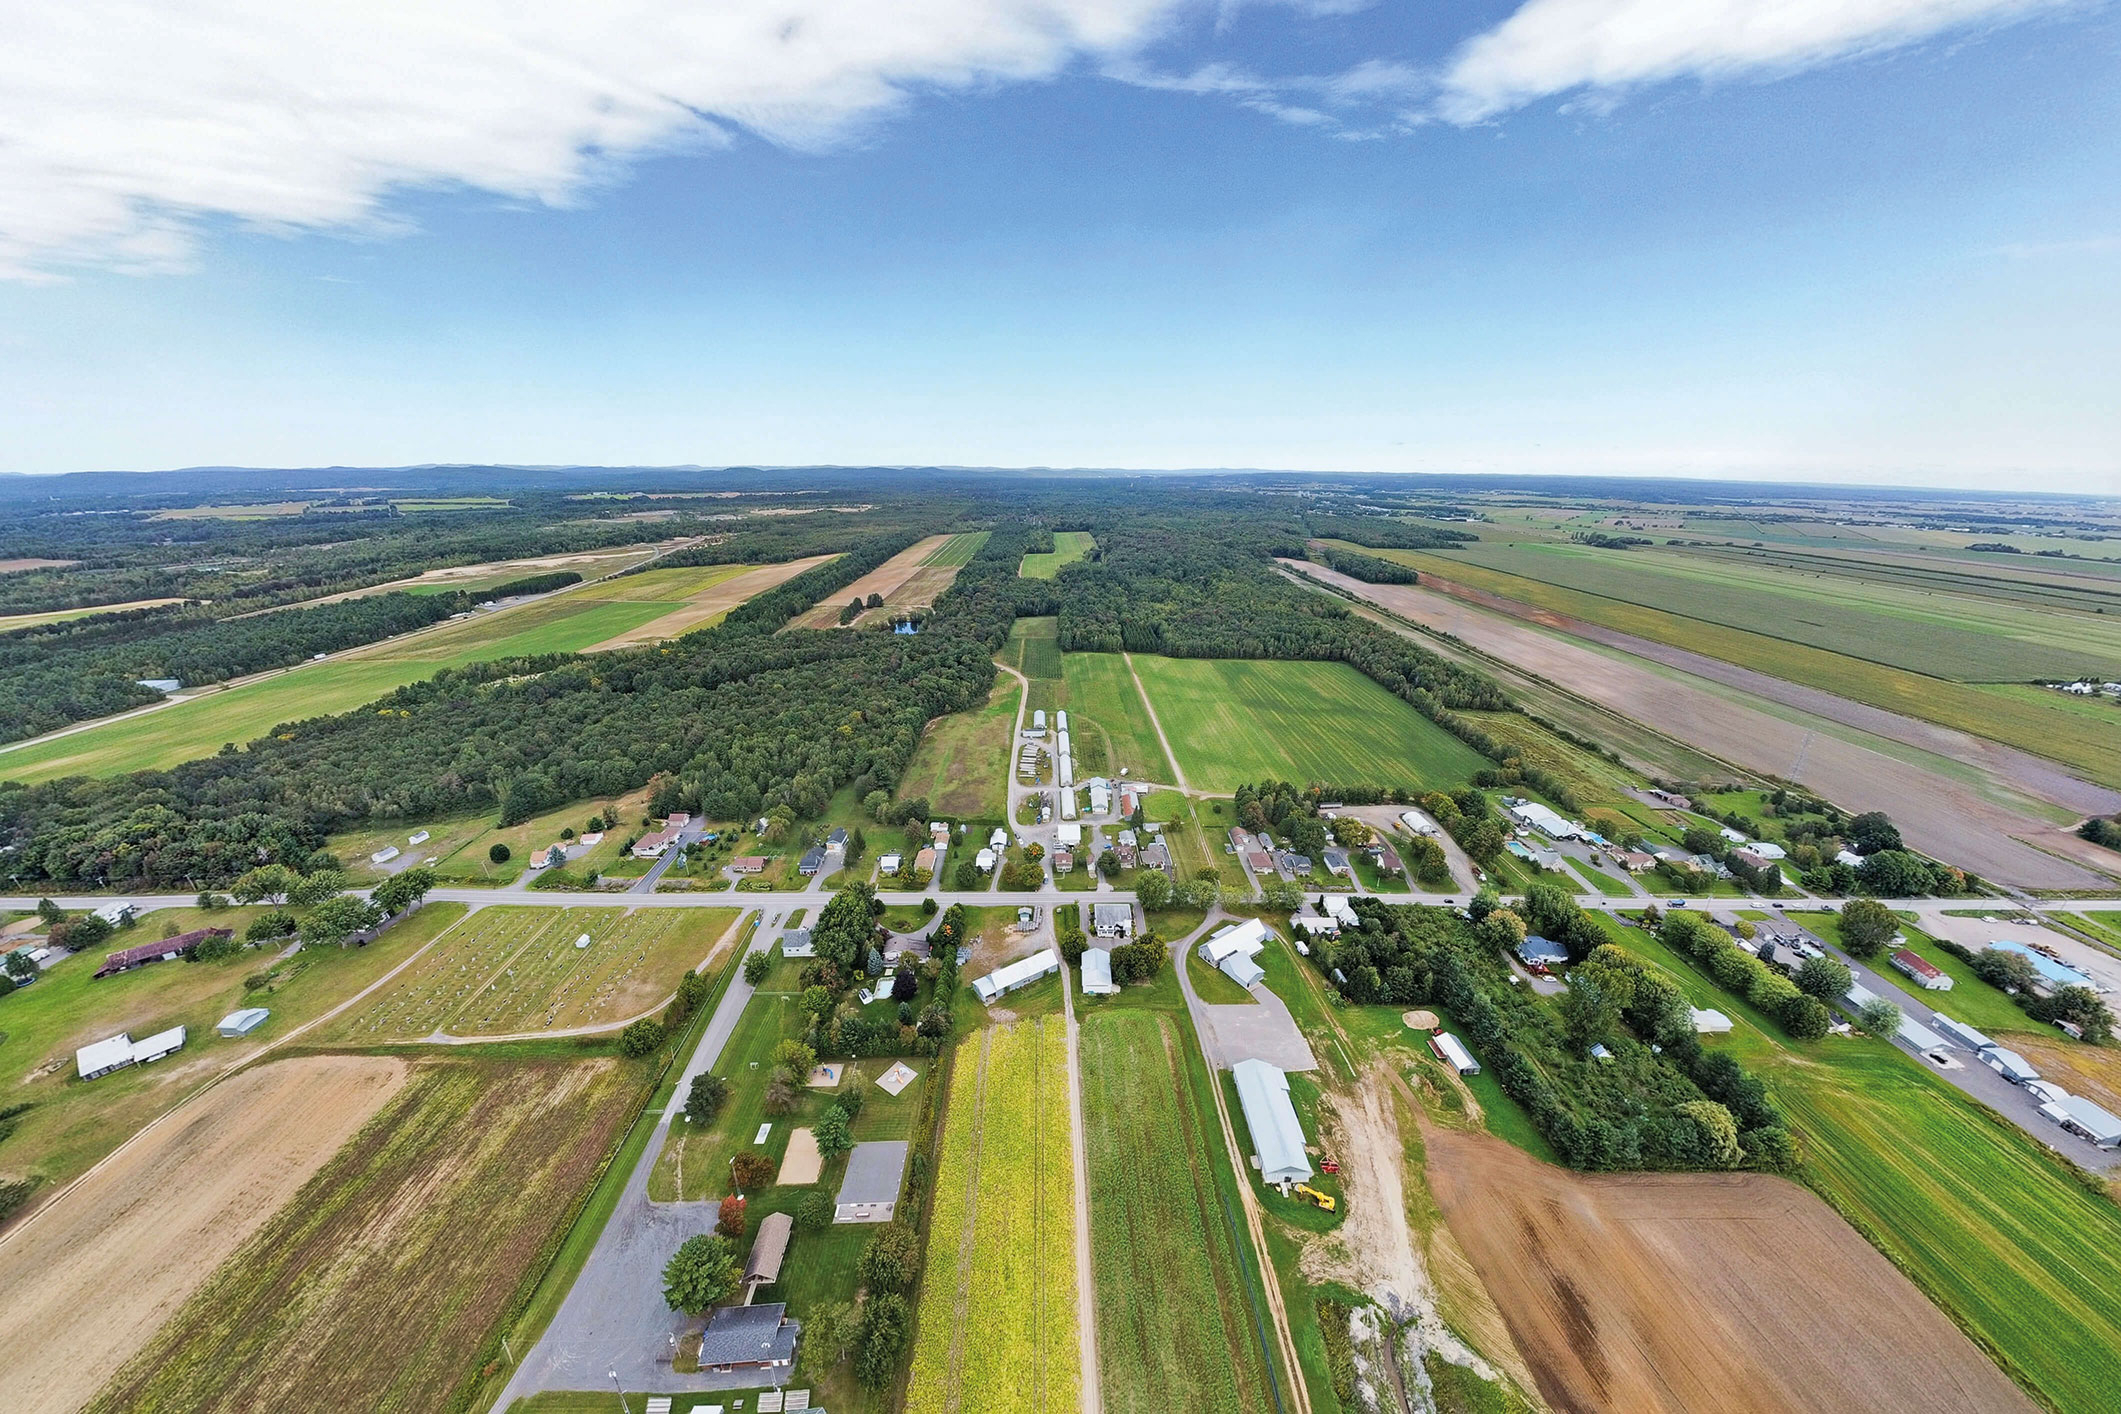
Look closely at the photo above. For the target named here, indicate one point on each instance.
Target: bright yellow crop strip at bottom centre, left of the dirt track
(996, 1328)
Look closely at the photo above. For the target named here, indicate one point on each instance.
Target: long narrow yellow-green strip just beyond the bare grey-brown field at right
(2037, 722)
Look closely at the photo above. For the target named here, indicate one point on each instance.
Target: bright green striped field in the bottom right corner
(2022, 1256)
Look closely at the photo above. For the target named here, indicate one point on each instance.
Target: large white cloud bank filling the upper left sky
(128, 122)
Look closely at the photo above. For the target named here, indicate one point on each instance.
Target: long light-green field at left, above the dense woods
(166, 737)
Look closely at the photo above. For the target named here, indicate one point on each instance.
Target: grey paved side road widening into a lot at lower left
(614, 1315)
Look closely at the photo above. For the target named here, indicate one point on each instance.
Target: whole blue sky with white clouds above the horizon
(1085, 234)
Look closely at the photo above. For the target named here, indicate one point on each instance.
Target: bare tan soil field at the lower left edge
(92, 1277)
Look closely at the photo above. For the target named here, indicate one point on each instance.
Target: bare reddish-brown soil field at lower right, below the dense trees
(1700, 1292)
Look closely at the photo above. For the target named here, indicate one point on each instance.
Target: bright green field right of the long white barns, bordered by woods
(1240, 720)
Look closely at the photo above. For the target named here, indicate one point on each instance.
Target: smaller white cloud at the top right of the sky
(1605, 46)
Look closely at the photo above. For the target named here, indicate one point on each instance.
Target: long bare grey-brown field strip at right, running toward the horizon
(1740, 715)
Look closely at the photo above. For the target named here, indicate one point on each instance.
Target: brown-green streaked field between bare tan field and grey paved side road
(383, 1282)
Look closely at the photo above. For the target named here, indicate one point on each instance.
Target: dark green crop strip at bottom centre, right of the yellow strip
(1172, 1322)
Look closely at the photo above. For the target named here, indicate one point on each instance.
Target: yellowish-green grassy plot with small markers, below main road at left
(519, 970)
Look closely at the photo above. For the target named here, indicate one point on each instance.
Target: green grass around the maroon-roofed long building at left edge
(73, 1125)
